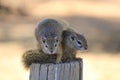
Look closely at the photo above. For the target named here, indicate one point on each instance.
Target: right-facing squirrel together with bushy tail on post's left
(71, 42)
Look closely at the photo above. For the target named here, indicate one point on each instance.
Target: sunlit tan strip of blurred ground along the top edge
(38, 8)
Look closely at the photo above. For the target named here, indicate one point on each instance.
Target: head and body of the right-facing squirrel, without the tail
(71, 43)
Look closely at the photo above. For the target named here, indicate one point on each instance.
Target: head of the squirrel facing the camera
(50, 45)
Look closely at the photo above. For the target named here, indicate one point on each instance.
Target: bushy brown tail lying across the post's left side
(36, 56)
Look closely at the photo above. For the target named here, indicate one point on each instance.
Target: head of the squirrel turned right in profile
(76, 41)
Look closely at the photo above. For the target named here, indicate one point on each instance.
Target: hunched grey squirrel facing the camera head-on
(48, 34)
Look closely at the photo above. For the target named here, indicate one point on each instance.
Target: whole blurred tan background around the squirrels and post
(98, 20)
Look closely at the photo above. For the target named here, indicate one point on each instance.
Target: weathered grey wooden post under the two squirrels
(61, 71)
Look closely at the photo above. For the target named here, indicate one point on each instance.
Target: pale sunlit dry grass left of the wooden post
(10, 62)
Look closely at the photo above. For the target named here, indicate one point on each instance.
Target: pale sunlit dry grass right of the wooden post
(101, 66)
